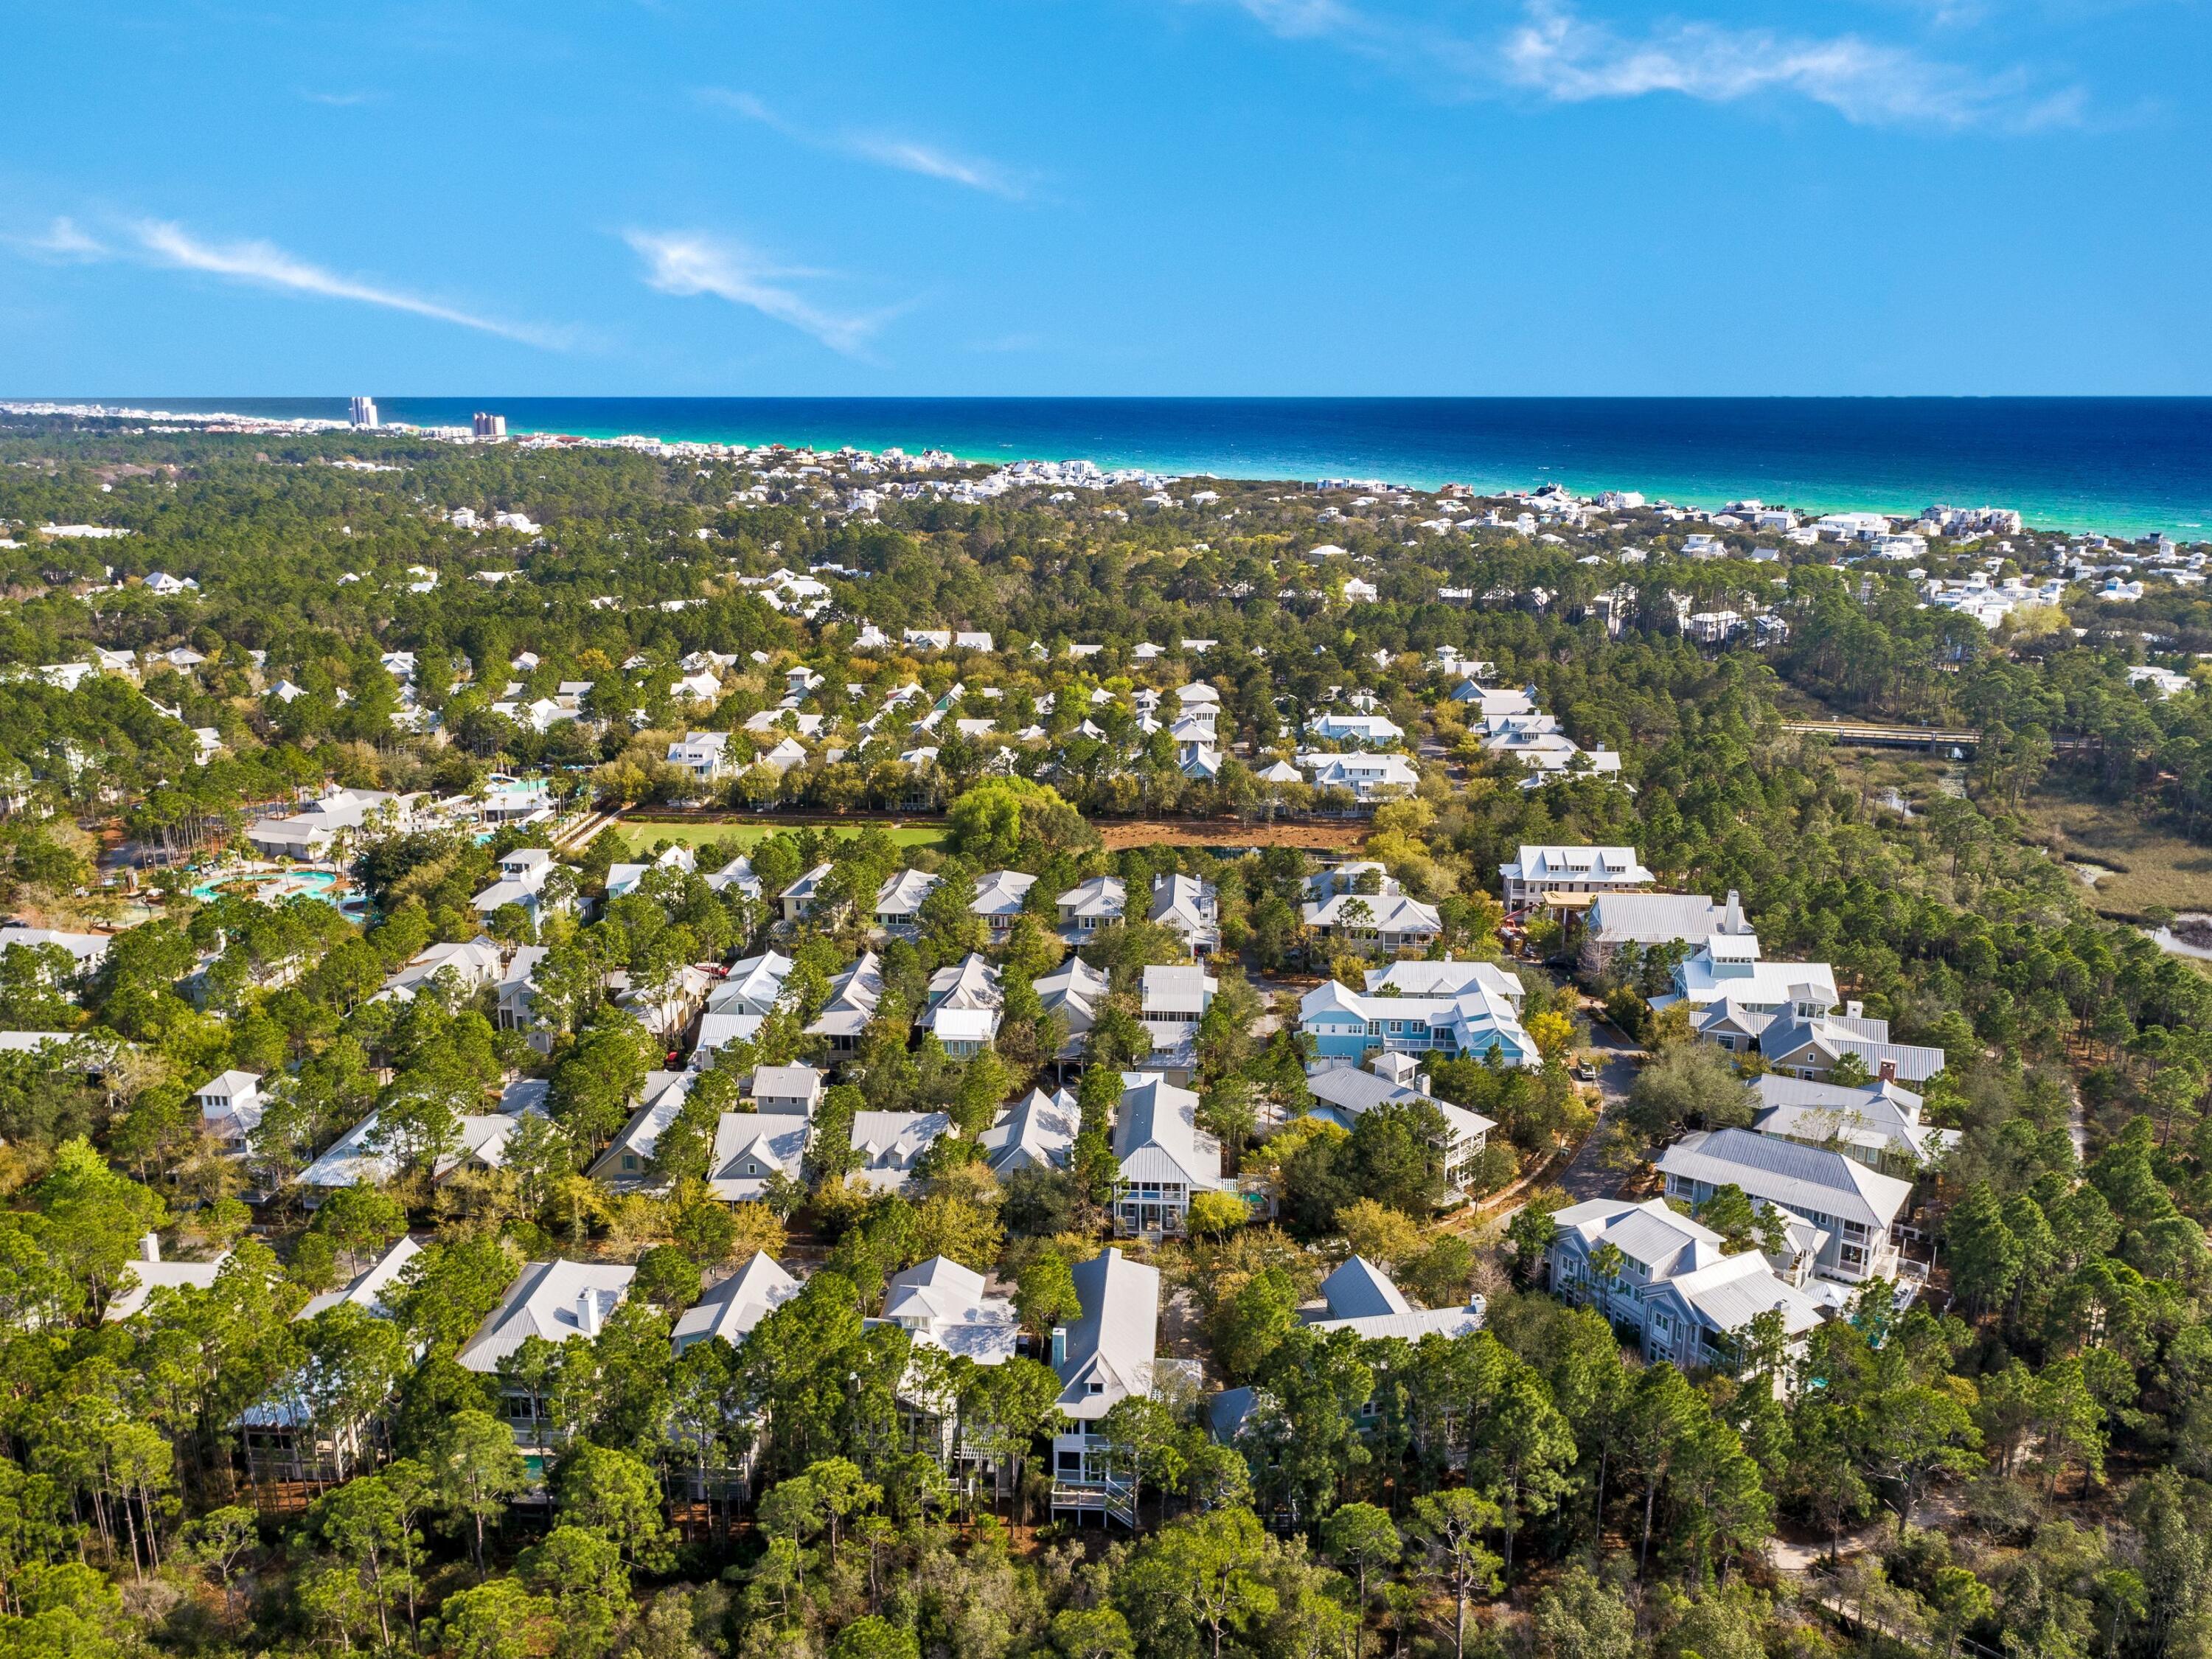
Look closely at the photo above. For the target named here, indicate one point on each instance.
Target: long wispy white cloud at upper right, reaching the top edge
(1567, 59)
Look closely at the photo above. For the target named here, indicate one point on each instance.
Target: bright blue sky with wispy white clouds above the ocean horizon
(1107, 198)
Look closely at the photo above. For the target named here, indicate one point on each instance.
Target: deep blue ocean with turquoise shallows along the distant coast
(2122, 466)
